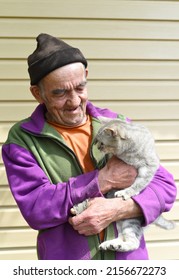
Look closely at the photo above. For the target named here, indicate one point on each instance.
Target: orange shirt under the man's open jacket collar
(79, 139)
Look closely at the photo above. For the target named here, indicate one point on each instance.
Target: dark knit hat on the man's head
(50, 54)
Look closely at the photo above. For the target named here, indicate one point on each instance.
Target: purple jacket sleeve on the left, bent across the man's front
(43, 204)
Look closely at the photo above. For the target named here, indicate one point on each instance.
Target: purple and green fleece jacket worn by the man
(46, 180)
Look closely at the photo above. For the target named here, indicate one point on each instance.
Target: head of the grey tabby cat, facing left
(112, 137)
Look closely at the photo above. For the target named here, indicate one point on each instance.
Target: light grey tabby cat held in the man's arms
(135, 145)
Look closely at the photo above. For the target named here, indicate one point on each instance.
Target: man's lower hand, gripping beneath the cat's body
(101, 212)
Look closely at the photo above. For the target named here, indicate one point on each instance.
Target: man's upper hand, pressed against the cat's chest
(116, 174)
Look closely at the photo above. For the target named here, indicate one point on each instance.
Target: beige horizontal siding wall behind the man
(133, 53)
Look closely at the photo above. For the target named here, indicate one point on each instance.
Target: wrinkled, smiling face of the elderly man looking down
(64, 94)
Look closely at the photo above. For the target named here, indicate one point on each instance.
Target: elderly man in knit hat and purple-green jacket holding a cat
(51, 164)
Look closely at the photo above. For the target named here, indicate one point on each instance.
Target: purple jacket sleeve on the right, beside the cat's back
(158, 196)
